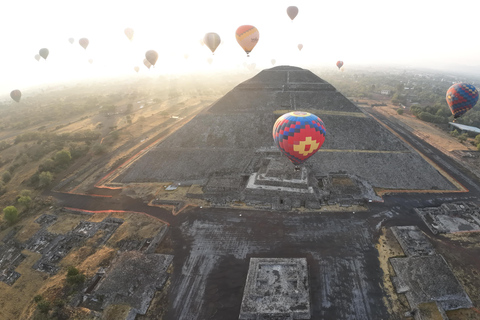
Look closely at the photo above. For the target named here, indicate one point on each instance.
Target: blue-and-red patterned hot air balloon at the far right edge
(461, 97)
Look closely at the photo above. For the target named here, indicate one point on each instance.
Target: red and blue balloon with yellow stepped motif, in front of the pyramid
(299, 135)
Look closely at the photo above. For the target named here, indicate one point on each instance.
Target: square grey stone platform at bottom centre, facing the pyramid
(276, 288)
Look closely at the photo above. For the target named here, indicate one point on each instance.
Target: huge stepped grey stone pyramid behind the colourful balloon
(228, 148)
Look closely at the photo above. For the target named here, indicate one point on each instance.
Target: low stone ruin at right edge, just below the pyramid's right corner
(451, 217)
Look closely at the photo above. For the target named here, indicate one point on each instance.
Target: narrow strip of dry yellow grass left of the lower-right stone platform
(387, 248)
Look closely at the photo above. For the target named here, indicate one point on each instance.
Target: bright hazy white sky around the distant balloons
(409, 32)
